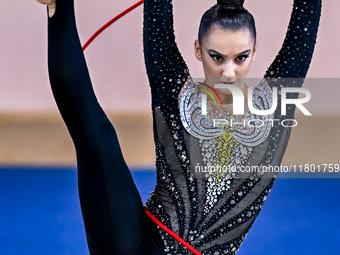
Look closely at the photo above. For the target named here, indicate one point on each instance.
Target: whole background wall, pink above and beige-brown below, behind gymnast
(31, 131)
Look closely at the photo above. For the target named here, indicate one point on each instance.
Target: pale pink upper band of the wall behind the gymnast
(115, 59)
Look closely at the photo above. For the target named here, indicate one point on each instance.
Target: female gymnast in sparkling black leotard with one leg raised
(186, 213)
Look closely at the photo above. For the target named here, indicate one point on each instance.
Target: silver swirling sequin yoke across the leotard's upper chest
(207, 126)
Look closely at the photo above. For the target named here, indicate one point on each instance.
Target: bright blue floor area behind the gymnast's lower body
(40, 215)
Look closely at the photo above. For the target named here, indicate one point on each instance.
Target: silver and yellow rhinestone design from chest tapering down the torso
(223, 146)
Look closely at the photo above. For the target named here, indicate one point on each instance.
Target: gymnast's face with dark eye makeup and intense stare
(226, 57)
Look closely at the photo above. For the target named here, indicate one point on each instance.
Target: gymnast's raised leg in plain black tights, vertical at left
(113, 213)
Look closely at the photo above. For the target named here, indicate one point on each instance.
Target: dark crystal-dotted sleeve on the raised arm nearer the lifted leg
(165, 66)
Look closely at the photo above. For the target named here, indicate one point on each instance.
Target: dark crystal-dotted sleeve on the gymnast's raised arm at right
(294, 57)
